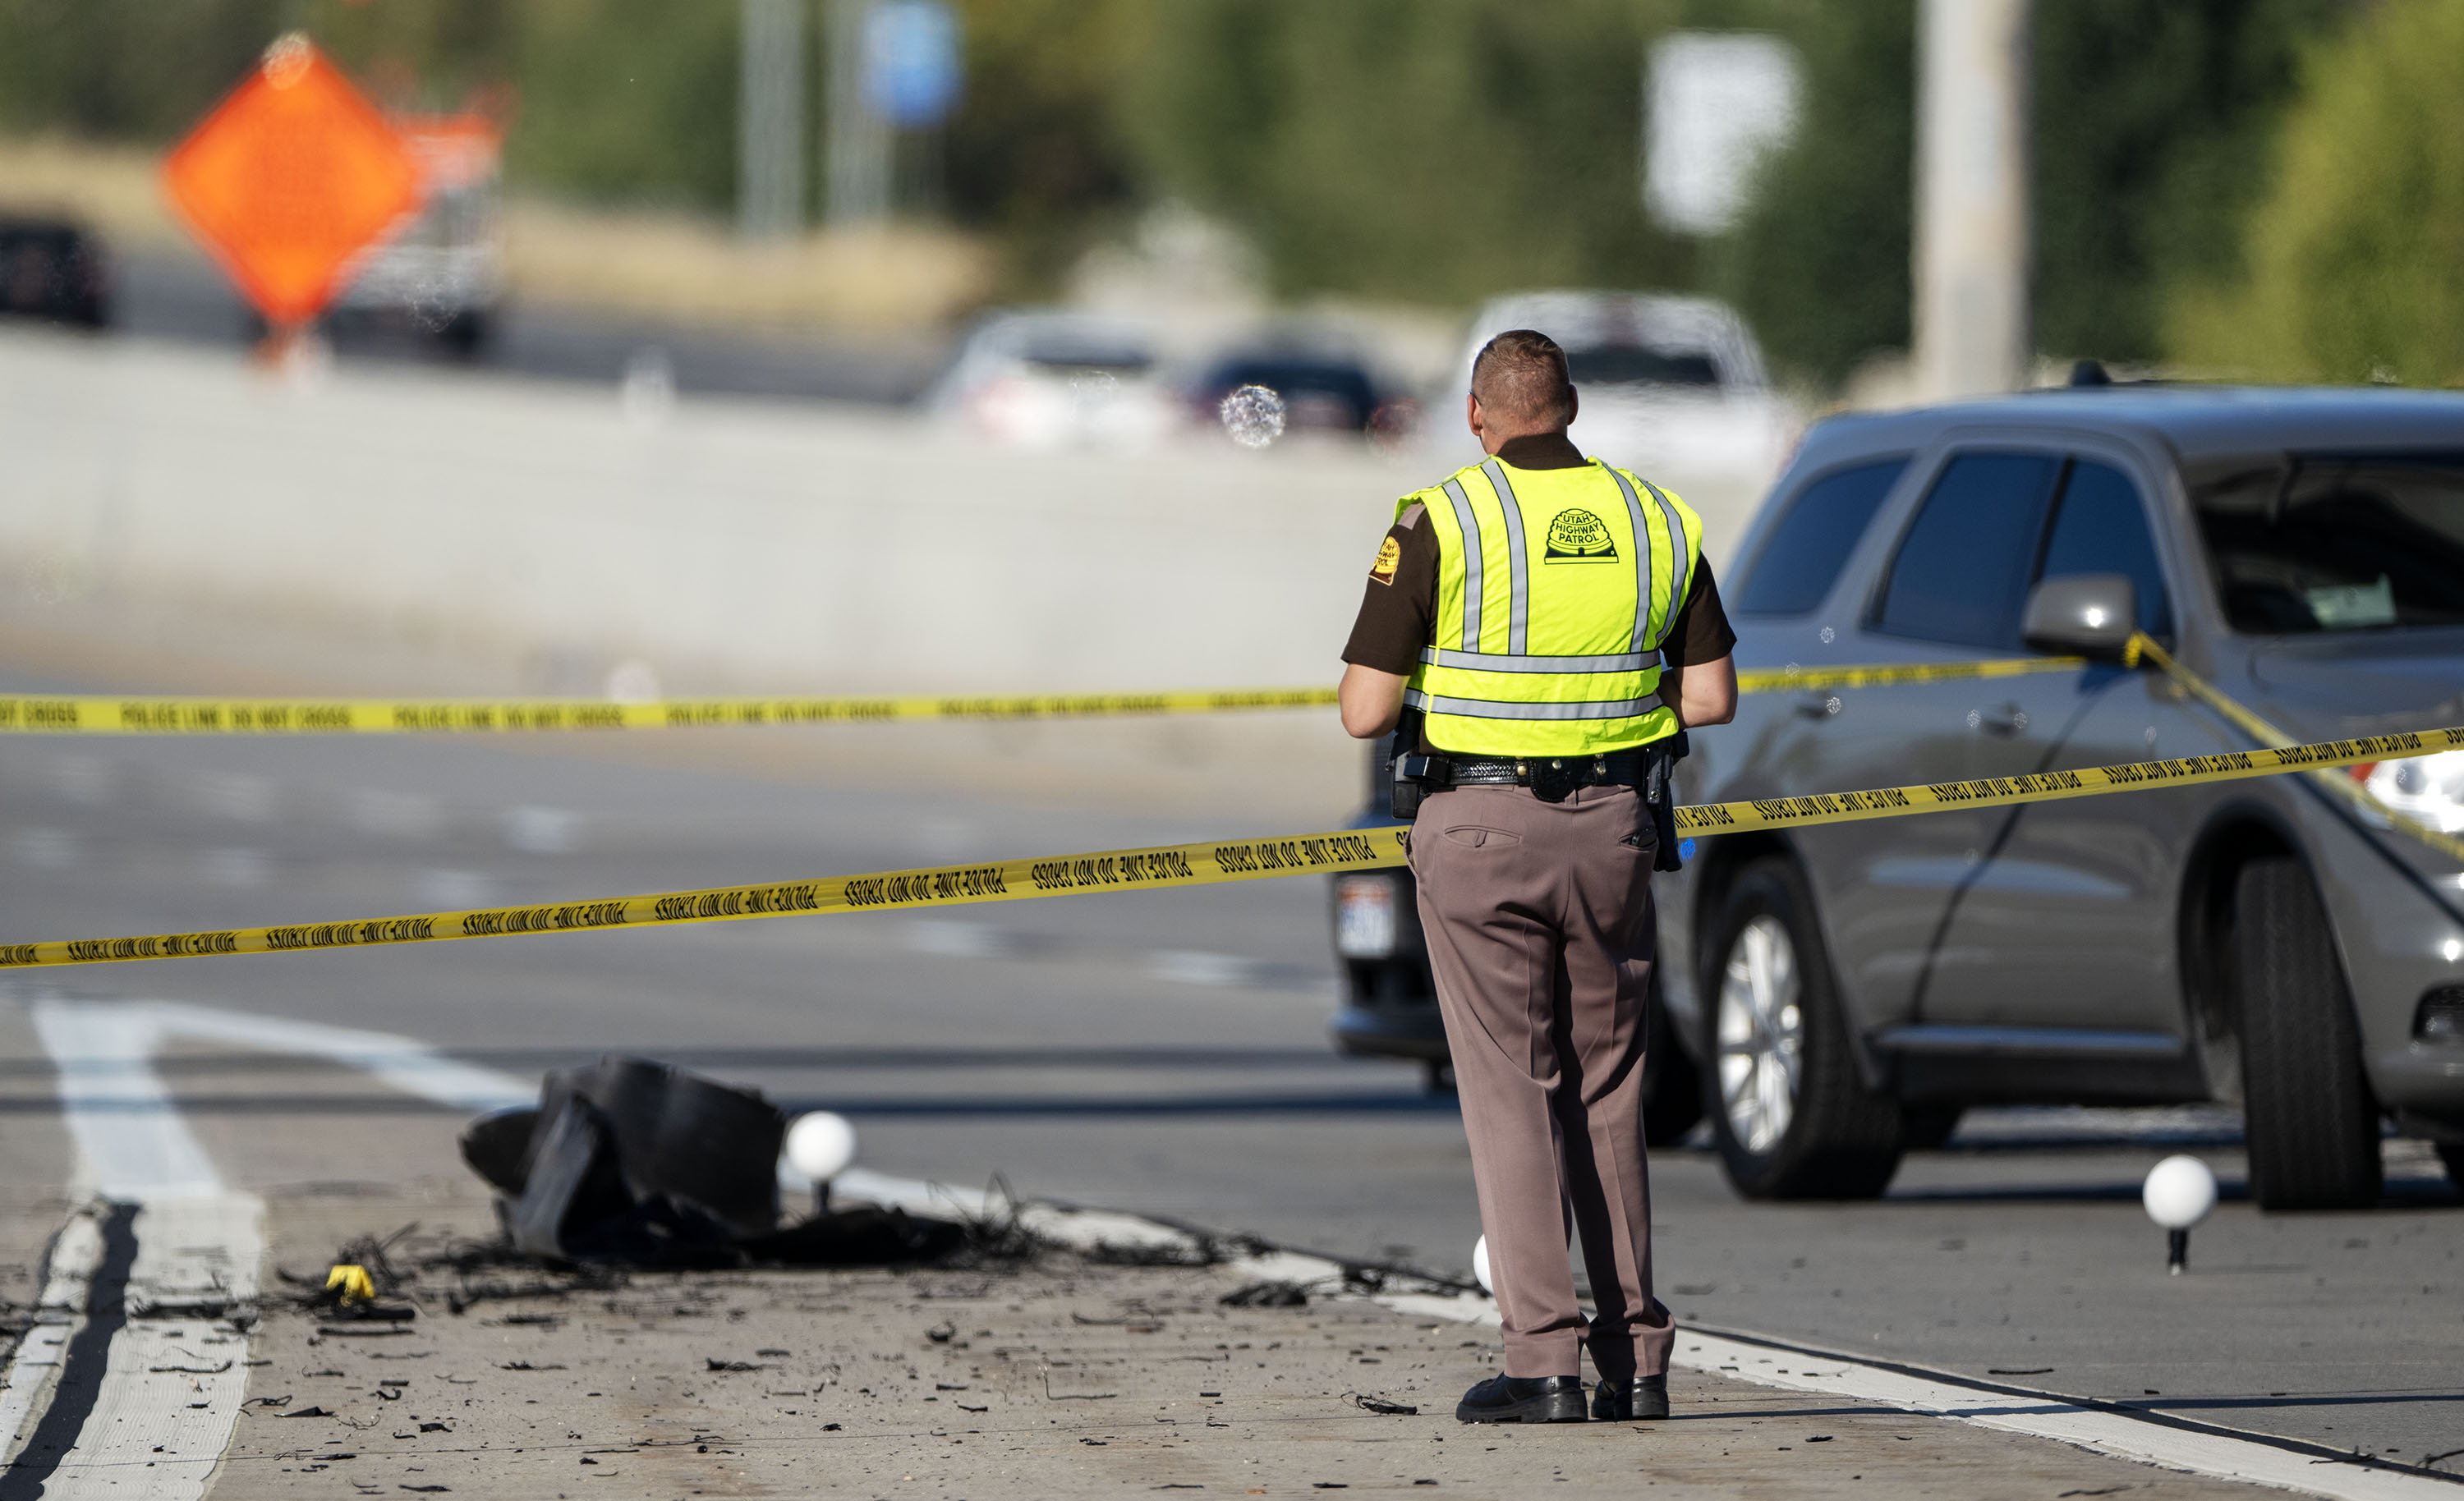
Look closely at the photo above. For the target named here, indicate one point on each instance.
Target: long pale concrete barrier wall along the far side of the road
(733, 546)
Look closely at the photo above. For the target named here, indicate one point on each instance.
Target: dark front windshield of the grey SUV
(2335, 541)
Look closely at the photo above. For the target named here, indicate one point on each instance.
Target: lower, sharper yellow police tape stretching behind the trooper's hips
(1186, 866)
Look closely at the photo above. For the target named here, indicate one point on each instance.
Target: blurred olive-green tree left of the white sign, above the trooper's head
(1418, 149)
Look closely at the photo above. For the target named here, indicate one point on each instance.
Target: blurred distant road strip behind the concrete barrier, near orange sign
(186, 299)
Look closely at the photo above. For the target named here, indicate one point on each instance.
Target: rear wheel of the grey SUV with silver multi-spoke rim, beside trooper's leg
(1788, 1108)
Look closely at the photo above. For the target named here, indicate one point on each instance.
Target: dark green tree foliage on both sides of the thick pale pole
(2150, 137)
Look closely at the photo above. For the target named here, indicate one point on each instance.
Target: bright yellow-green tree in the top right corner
(2354, 265)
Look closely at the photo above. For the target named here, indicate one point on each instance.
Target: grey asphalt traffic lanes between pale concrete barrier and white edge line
(1157, 1054)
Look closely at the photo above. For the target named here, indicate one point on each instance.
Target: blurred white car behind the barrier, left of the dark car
(1056, 378)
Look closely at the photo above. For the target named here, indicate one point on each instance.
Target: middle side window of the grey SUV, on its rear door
(1963, 568)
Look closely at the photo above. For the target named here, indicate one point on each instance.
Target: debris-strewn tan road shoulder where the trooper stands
(1058, 1377)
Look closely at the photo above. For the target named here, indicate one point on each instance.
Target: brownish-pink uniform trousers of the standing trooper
(1541, 938)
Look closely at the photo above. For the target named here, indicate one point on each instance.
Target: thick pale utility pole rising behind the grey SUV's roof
(1975, 233)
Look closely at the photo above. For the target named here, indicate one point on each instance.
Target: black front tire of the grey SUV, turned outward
(2310, 1115)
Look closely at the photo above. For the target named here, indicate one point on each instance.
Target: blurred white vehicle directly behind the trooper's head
(1669, 386)
